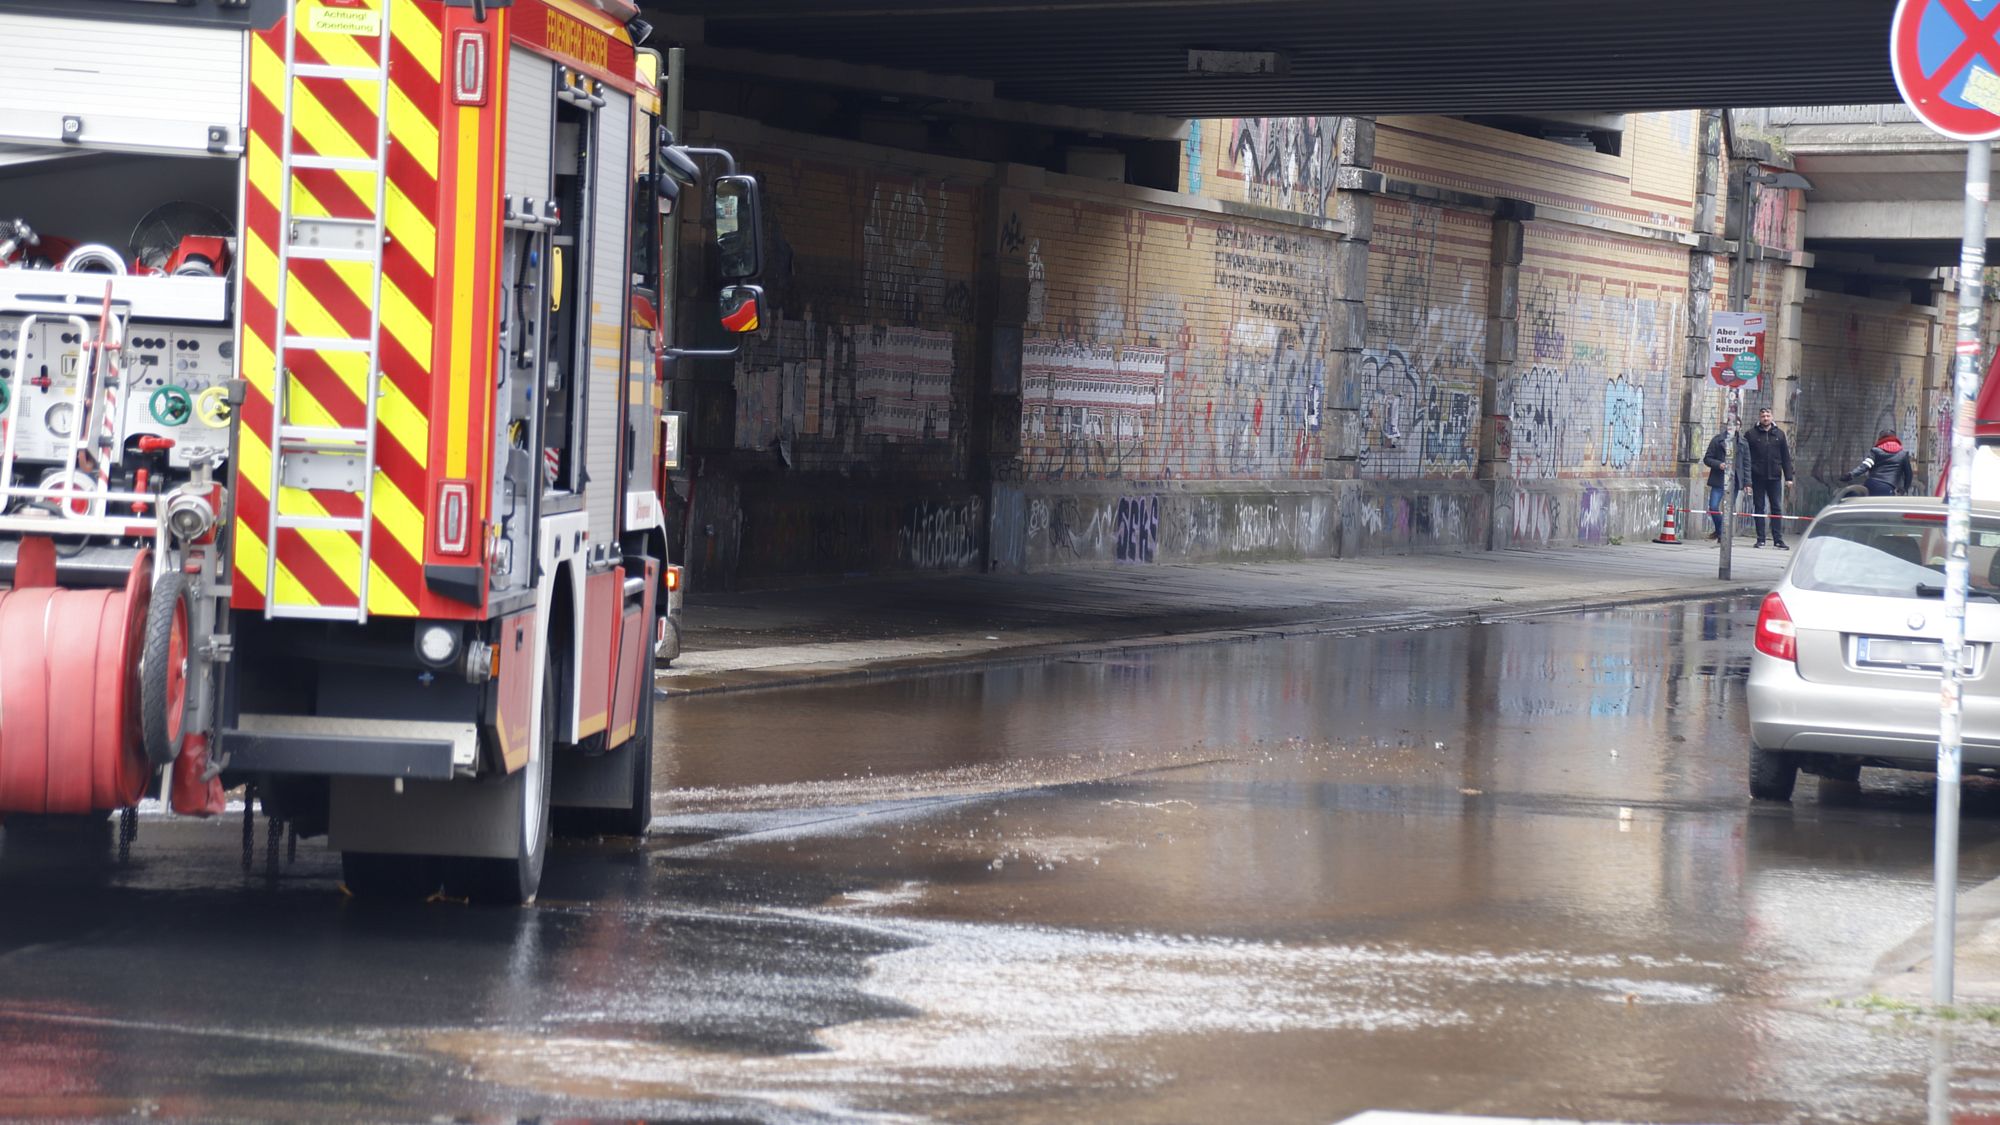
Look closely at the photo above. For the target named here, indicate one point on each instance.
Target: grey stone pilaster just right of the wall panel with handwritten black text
(1349, 331)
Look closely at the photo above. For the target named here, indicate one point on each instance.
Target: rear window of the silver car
(1891, 553)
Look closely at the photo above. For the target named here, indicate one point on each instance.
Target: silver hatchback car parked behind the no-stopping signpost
(1849, 648)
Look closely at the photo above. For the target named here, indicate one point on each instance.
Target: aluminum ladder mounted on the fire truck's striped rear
(327, 459)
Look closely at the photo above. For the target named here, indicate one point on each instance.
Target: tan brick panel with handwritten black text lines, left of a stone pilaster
(1171, 345)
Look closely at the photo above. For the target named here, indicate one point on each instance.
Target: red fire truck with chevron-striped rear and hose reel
(329, 417)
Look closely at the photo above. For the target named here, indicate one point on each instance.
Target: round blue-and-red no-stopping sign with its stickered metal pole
(1947, 65)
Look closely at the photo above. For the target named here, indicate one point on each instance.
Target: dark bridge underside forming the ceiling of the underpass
(1339, 57)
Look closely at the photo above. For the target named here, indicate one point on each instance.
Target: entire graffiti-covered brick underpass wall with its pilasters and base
(975, 365)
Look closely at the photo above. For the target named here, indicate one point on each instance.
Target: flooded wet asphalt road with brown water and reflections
(1501, 870)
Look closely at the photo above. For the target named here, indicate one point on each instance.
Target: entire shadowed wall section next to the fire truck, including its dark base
(839, 443)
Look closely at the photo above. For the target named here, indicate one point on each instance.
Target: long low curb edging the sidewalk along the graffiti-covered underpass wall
(891, 670)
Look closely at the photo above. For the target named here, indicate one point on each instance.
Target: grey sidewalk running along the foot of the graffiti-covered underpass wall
(917, 624)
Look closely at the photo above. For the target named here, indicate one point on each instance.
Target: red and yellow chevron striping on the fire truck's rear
(429, 315)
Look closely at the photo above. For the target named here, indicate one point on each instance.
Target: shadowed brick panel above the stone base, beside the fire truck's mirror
(867, 361)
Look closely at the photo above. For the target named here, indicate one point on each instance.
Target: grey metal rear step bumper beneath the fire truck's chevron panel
(351, 748)
